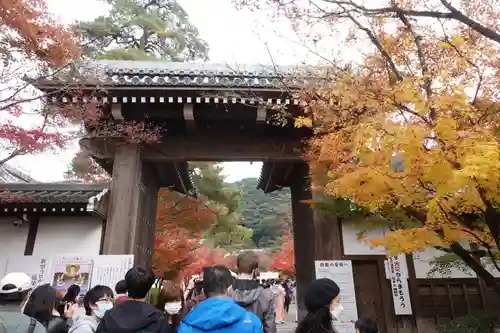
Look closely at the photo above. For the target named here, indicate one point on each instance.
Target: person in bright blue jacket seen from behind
(219, 313)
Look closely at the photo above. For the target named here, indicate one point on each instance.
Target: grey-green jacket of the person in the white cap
(13, 321)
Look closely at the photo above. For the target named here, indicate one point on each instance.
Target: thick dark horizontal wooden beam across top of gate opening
(204, 148)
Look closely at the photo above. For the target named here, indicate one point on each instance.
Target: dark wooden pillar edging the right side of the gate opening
(303, 234)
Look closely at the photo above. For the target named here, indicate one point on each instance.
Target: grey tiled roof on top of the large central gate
(201, 75)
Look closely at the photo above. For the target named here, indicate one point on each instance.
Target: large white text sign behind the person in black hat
(340, 271)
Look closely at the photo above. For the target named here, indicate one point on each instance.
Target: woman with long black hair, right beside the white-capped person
(42, 305)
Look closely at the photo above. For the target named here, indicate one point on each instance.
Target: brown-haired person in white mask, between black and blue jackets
(170, 300)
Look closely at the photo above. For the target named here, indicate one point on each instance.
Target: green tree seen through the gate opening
(227, 231)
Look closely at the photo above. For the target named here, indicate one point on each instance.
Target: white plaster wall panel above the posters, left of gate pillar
(68, 235)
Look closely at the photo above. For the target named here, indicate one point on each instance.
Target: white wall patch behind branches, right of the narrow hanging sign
(422, 262)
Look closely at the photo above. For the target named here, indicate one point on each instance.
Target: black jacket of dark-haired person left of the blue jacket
(133, 317)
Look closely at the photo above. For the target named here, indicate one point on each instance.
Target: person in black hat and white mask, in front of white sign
(323, 307)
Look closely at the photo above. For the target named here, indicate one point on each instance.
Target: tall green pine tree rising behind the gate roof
(143, 30)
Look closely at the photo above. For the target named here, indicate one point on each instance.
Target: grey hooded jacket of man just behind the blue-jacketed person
(254, 298)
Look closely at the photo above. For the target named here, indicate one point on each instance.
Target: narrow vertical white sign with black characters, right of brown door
(399, 286)
